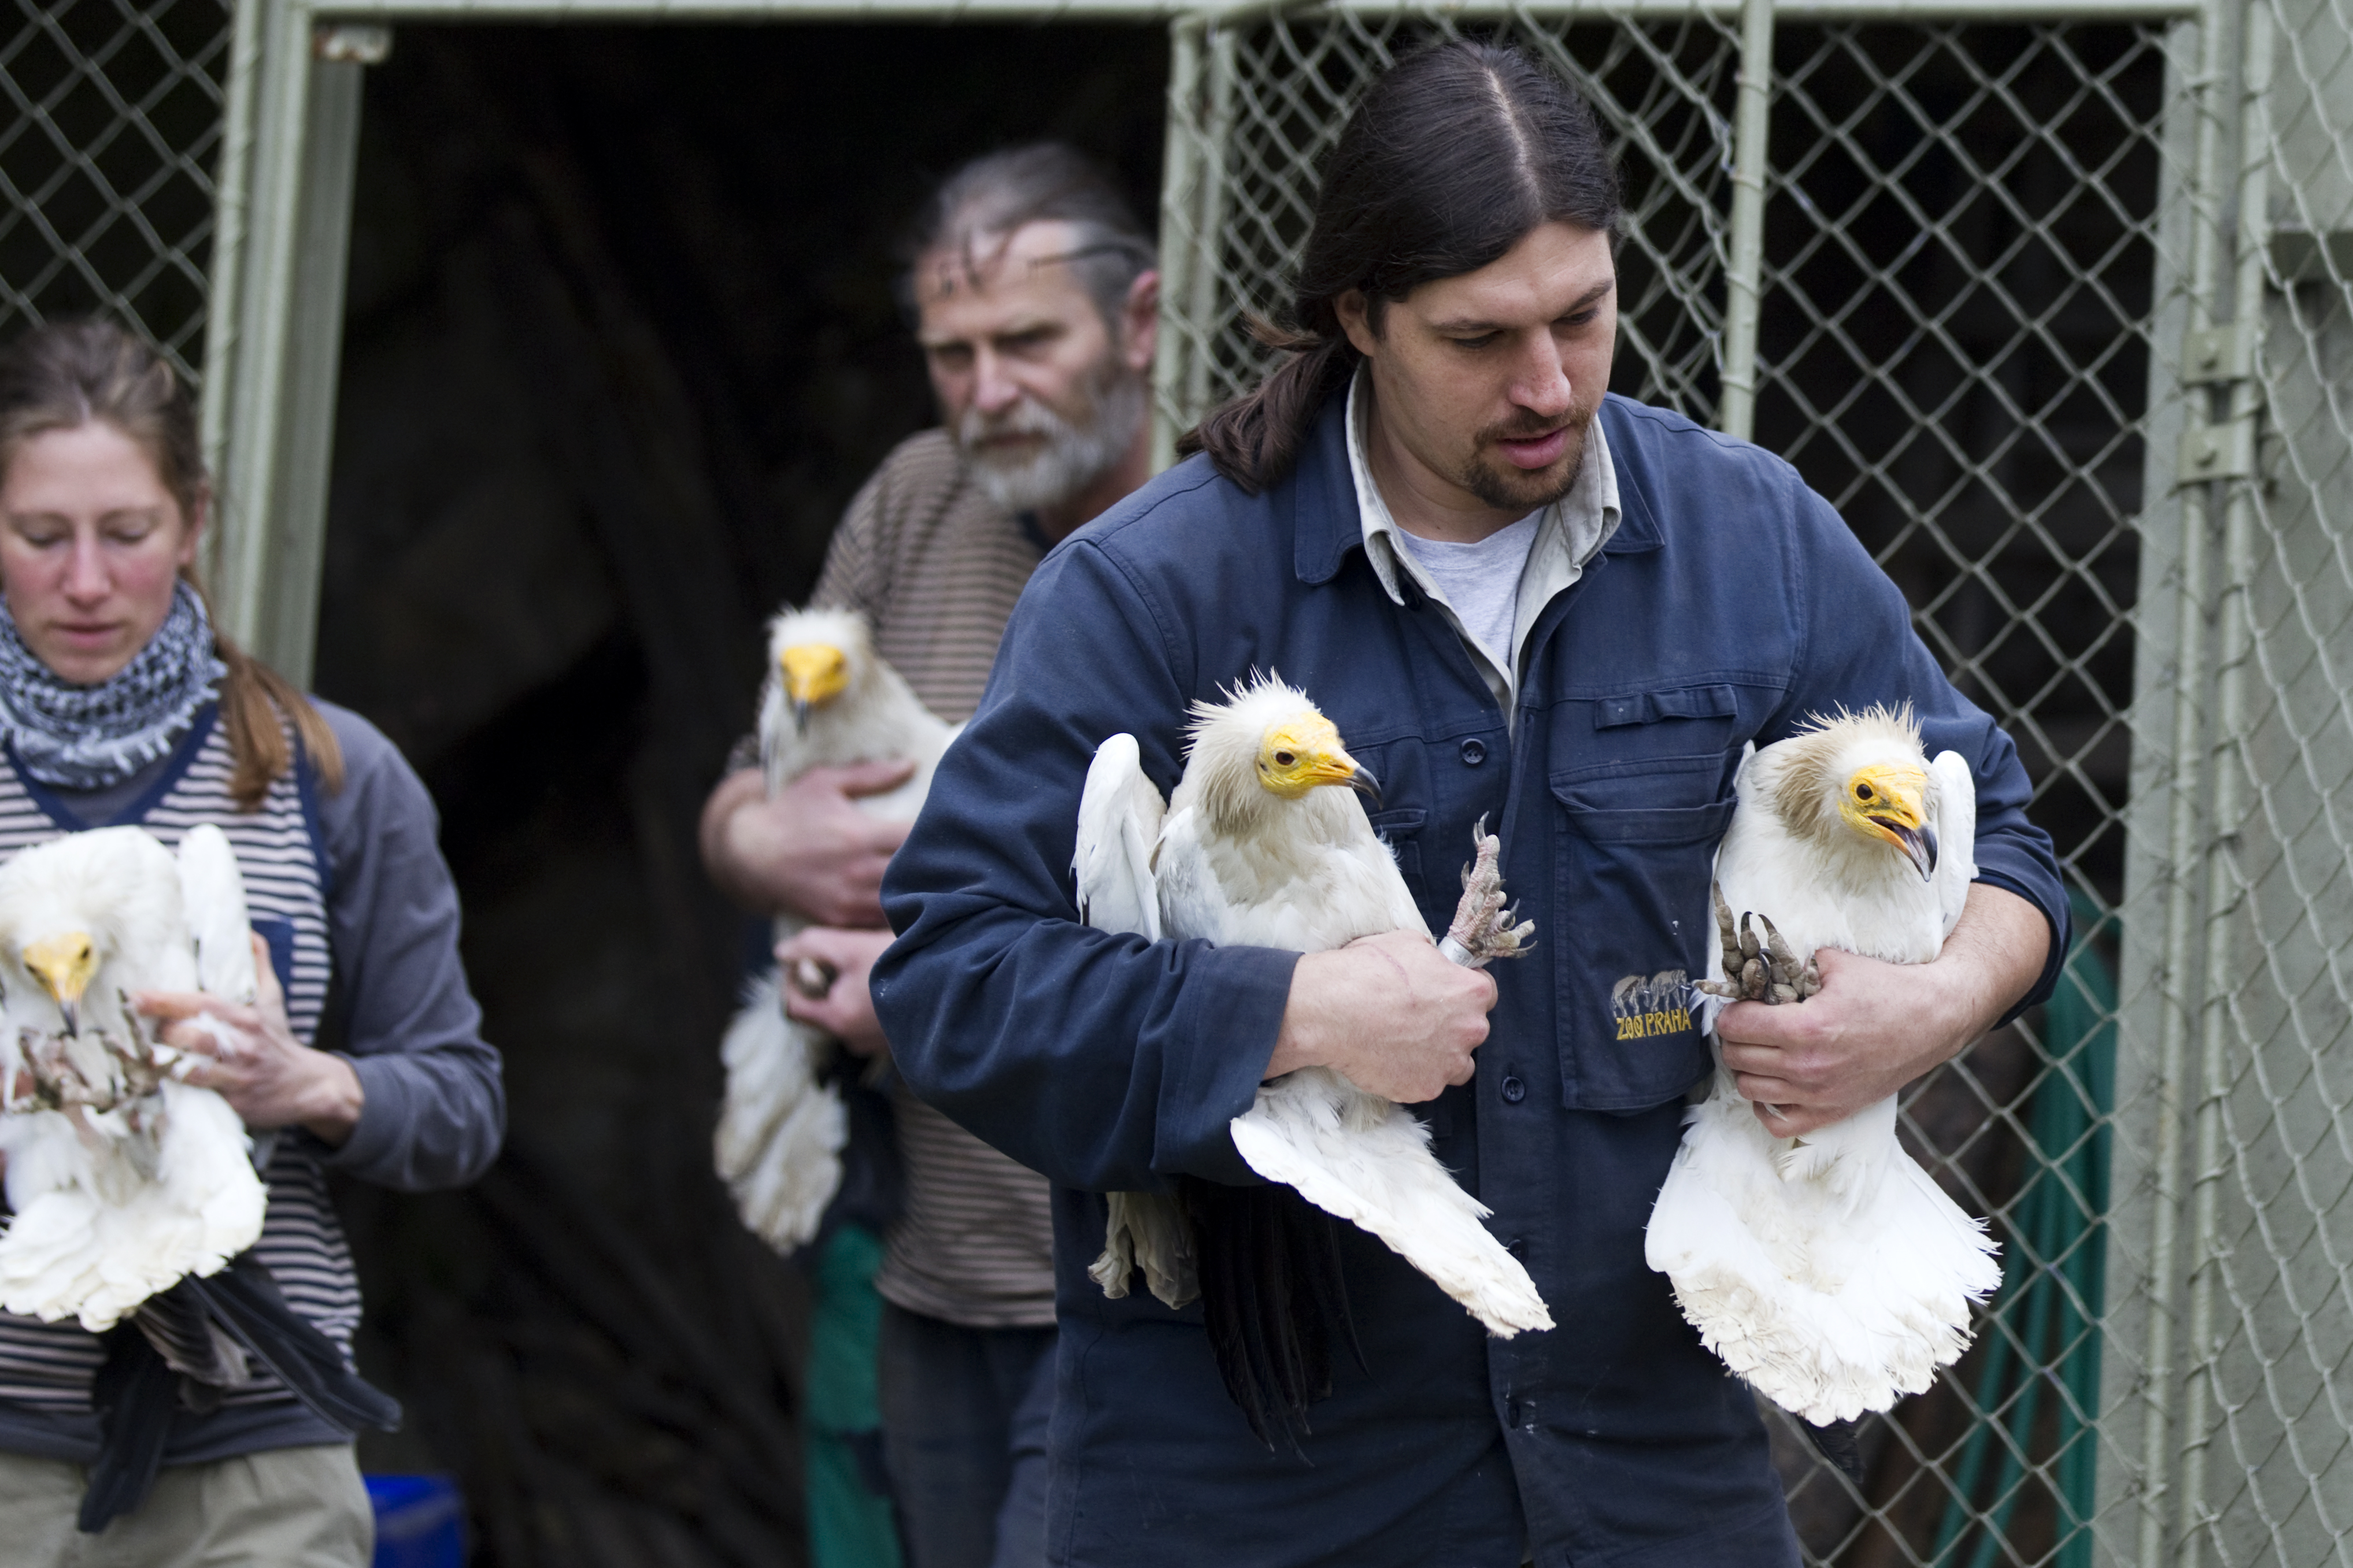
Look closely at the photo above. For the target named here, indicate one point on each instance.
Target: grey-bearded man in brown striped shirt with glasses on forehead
(1034, 300)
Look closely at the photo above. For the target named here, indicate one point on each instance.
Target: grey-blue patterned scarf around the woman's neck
(95, 737)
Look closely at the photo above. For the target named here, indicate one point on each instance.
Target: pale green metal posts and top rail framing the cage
(274, 337)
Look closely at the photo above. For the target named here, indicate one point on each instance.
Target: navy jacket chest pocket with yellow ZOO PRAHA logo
(1637, 857)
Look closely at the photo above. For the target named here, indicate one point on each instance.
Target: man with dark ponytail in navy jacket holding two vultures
(1521, 601)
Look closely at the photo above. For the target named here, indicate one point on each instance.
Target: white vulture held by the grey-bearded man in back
(829, 699)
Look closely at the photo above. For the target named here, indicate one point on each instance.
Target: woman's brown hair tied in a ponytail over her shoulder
(67, 375)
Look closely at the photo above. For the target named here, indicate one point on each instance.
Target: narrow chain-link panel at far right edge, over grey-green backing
(2272, 1268)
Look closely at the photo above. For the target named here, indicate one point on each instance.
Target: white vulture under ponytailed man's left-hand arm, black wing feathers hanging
(1267, 843)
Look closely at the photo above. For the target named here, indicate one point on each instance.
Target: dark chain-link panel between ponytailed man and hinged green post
(1961, 255)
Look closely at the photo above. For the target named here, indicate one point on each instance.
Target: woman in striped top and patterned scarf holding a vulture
(121, 704)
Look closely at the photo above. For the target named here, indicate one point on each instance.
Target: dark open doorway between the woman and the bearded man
(620, 347)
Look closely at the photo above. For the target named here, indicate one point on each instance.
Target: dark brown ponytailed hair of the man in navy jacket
(1448, 163)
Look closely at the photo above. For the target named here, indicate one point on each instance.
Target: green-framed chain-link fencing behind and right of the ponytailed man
(1985, 255)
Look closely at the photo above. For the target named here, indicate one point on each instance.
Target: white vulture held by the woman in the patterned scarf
(124, 1179)
